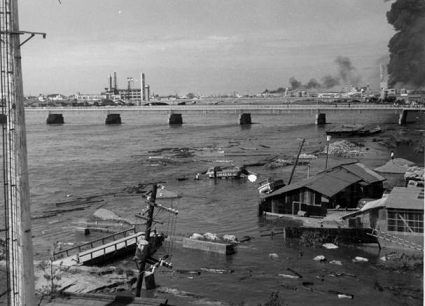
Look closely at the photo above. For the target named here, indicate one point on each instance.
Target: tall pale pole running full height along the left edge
(19, 248)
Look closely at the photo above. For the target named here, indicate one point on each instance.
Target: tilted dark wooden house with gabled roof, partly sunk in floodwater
(339, 187)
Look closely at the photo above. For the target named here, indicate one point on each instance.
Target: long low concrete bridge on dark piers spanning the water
(55, 115)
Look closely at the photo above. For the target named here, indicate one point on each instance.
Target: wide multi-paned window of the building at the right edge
(408, 221)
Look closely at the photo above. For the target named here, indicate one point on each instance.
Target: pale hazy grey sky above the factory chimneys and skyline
(199, 46)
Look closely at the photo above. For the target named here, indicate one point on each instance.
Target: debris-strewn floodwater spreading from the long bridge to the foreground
(84, 157)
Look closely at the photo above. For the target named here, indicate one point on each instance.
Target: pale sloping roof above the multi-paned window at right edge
(406, 198)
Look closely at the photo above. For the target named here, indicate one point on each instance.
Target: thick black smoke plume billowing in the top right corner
(407, 46)
